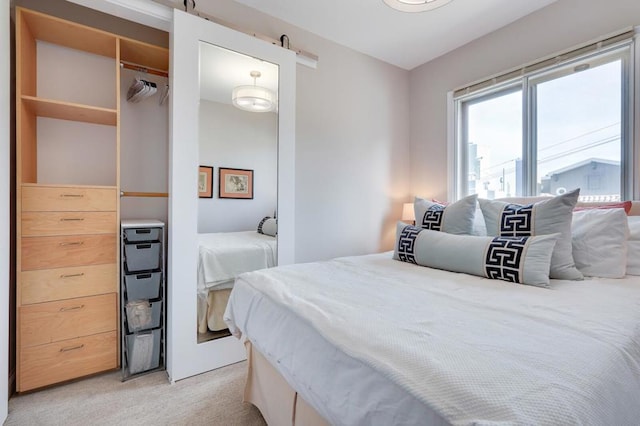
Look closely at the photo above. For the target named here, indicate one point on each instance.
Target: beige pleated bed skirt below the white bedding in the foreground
(279, 404)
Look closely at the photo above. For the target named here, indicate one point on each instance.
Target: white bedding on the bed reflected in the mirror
(225, 255)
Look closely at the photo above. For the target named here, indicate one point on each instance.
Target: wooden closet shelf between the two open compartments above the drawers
(70, 111)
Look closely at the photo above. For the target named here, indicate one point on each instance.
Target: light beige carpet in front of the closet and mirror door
(213, 398)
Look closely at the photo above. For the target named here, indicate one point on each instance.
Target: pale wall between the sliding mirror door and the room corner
(352, 142)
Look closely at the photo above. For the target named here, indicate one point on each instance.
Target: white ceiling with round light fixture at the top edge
(406, 40)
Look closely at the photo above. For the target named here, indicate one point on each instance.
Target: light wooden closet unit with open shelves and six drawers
(68, 226)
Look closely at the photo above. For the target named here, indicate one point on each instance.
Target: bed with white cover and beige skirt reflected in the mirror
(221, 258)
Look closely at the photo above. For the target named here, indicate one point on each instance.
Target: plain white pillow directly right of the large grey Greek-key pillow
(599, 241)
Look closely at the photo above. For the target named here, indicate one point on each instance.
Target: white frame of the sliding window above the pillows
(626, 51)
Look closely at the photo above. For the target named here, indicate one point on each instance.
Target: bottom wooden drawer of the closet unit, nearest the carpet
(47, 364)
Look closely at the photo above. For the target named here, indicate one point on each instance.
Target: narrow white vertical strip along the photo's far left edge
(5, 180)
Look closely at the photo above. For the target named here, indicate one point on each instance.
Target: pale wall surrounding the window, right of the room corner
(559, 26)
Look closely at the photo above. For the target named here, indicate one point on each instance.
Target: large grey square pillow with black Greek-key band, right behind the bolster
(549, 216)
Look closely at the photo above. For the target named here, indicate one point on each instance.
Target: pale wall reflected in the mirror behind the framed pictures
(233, 138)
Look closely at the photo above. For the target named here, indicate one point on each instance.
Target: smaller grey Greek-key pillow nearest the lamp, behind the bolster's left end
(455, 218)
